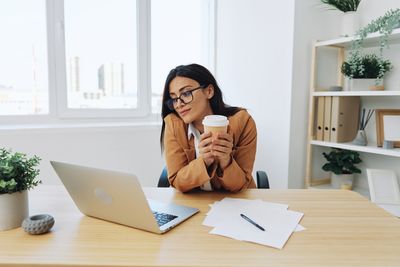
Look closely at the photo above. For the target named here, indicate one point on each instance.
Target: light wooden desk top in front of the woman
(343, 229)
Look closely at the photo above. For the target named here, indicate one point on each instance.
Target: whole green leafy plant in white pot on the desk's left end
(17, 175)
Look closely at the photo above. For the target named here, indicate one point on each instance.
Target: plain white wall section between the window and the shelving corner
(254, 68)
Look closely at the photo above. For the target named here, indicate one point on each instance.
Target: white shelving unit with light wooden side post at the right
(388, 98)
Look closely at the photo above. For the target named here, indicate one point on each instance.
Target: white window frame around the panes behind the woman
(58, 110)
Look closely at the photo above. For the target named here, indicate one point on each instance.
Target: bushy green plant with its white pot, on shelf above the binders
(365, 72)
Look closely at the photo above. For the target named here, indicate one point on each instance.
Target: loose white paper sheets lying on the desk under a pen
(277, 221)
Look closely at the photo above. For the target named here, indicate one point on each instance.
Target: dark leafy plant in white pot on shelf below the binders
(341, 163)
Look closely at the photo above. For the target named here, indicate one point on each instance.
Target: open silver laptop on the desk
(118, 197)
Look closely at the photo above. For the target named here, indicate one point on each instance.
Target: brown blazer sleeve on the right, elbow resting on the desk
(237, 176)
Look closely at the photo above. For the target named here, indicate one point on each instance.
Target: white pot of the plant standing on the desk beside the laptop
(14, 208)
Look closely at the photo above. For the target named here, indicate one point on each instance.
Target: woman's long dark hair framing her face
(204, 77)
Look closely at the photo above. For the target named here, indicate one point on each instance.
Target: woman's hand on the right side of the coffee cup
(221, 148)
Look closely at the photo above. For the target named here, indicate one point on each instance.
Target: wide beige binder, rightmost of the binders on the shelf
(345, 118)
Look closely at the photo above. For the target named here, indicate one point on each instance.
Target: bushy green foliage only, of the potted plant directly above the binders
(368, 66)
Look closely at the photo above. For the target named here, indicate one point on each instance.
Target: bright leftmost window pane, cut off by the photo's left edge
(23, 54)
